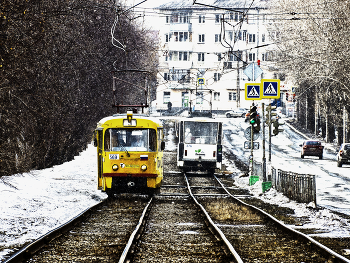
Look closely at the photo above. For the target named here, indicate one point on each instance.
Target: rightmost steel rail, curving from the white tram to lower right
(323, 247)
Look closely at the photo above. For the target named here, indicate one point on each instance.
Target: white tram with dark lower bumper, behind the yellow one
(200, 145)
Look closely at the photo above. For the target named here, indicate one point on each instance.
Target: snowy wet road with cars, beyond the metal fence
(332, 182)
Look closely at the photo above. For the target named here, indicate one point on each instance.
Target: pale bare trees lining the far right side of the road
(312, 41)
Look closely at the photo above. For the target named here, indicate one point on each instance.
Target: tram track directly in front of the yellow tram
(99, 234)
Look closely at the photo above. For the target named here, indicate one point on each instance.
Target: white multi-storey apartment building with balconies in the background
(204, 50)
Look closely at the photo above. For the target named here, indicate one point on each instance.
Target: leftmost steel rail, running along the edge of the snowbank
(26, 252)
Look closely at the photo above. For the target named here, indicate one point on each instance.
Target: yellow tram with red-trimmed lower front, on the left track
(129, 154)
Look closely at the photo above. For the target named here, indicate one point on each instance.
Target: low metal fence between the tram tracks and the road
(298, 187)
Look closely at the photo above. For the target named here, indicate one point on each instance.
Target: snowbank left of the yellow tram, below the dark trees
(34, 203)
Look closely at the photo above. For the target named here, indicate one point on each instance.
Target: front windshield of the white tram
(200, 132)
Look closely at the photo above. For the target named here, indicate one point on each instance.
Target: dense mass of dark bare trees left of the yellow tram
(56, 59)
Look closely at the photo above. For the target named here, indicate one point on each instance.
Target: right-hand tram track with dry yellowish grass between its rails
(256, 235)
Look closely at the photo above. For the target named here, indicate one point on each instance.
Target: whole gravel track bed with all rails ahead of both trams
(172, 227)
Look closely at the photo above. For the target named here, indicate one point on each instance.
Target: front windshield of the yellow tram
(130, 140)
